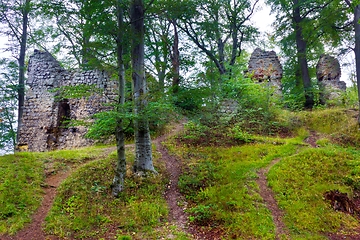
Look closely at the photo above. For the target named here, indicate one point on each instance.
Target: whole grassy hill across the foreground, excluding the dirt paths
(307, 155)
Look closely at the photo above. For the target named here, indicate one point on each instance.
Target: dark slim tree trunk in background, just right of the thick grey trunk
(175, 58)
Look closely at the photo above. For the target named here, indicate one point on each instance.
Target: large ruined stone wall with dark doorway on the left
(44, 119)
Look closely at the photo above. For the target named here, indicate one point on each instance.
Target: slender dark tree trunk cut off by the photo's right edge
(357, 51)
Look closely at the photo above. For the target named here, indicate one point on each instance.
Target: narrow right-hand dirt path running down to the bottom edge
(267, 194)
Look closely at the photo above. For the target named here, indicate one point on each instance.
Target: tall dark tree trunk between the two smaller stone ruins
(301, 55)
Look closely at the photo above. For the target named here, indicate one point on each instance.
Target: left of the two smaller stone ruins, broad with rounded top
(266, 66)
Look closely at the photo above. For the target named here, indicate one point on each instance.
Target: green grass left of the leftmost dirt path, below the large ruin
(22, 177)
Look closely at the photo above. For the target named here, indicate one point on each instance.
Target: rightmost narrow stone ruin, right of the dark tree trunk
(328, 73)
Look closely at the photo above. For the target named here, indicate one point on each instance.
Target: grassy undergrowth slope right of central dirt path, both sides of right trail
(219, 180)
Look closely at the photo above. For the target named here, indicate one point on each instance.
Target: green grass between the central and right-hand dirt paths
(220, 185)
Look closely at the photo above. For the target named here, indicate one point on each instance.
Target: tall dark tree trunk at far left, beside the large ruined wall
(21, 89)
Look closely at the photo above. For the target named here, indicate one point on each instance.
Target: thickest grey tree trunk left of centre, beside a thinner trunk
(143, 155)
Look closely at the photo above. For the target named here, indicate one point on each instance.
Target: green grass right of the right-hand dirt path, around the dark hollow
(300, 181)
